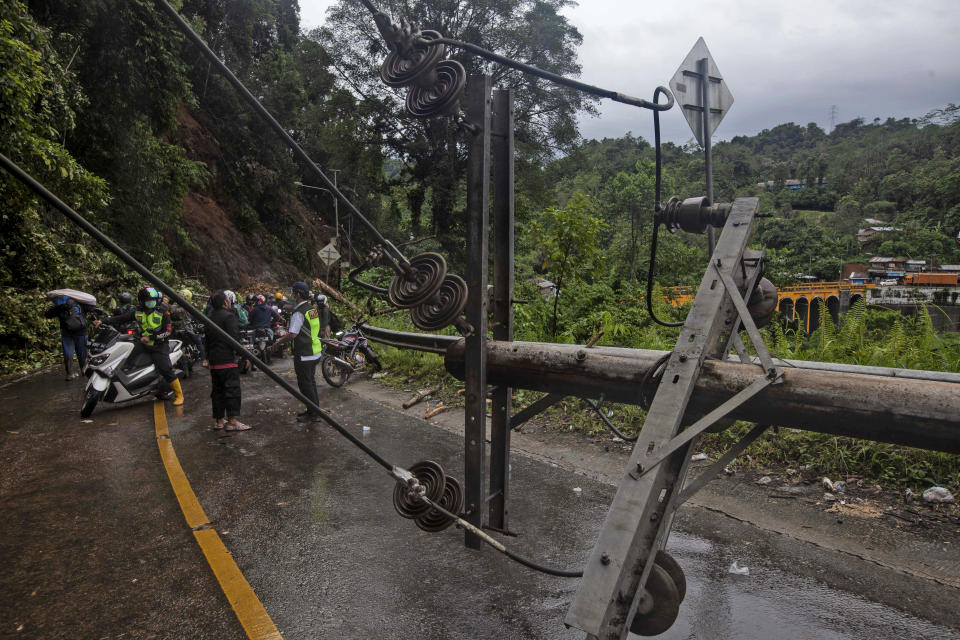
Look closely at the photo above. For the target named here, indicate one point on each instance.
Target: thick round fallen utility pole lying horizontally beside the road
(903, 411)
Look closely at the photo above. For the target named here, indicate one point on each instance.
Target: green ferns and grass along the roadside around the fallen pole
(867, 336)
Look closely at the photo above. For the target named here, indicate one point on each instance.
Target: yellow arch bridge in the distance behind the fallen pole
(802, 303)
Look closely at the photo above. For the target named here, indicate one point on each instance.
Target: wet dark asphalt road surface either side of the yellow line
(93, 543)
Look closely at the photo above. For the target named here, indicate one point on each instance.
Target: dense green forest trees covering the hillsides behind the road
(107, 104)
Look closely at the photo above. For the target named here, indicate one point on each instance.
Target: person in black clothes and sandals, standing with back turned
(225, 394)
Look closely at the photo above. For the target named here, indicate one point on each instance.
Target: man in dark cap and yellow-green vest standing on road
(305, 330)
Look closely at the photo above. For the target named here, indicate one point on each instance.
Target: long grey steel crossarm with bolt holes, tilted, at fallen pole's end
(621, 561)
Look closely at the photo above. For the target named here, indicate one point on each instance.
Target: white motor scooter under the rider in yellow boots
(111, 378)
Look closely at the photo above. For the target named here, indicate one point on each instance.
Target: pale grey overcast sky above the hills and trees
(783, 61)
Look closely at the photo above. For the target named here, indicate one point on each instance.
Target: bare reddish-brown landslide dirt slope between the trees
(228, 256)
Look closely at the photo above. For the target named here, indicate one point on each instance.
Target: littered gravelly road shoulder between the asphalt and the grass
(840, 544)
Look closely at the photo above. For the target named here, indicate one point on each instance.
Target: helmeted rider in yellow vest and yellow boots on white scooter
(154, 328)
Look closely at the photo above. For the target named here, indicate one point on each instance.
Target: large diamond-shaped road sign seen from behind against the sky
(686, 90)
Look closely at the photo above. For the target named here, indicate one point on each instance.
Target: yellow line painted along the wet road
(246, 605)
